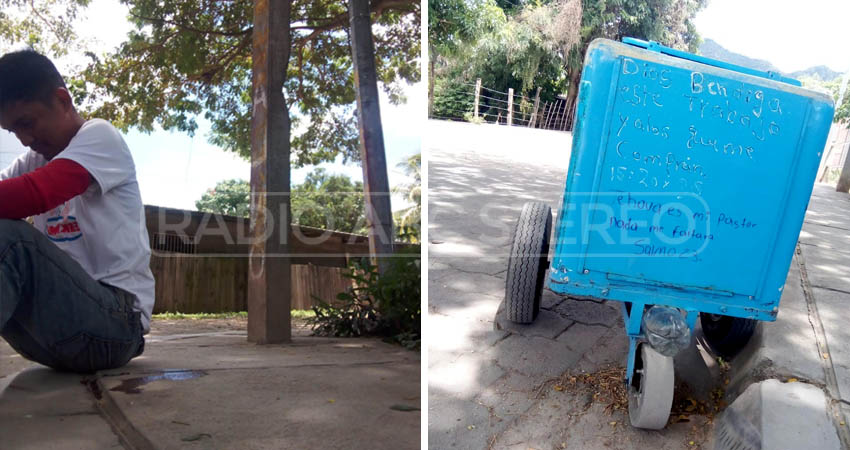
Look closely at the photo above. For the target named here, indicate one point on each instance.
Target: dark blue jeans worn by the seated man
(54, 313)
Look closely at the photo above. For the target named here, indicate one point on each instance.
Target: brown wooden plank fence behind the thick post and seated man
(200, 265)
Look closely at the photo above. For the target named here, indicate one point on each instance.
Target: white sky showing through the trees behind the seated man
(174, 170)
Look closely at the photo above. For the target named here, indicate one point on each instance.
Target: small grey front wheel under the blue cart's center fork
(651, 390)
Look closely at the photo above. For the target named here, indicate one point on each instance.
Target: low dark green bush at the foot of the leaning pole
(385, 305)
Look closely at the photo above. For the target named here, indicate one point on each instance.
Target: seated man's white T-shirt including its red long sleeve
(87, 201)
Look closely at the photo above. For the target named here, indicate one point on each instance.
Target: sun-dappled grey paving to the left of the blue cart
(489, 379)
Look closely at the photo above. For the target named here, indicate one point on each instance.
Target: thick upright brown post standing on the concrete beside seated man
(269, 274)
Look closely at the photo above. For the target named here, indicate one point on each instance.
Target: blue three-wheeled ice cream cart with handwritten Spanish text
(686, 191)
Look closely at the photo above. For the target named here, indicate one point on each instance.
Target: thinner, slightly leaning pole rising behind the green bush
(378, 210)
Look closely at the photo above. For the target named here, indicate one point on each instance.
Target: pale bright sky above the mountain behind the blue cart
(791, 34)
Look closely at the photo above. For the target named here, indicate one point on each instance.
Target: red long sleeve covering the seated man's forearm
(43, 189)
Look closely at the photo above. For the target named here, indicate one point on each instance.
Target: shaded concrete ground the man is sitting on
(216, 390)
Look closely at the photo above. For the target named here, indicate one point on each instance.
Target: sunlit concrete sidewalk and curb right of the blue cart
(809, 344)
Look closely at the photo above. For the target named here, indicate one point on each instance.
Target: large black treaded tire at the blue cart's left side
(528, 263)
